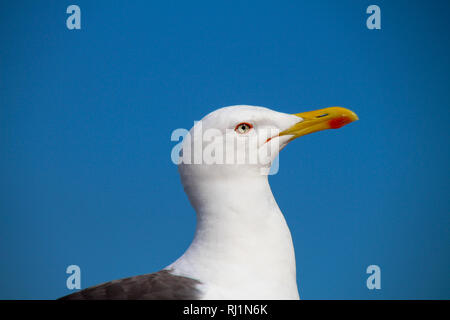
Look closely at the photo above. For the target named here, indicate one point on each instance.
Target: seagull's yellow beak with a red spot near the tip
(318, 120)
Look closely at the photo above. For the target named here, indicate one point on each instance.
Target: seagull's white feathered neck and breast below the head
(241, 235)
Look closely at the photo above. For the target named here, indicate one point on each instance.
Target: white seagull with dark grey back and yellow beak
(242, 247)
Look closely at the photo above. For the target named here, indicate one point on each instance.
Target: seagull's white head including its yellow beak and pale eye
(243, 140)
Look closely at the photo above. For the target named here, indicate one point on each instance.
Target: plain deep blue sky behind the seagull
(86, 118)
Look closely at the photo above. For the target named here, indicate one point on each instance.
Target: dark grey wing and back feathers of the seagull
(160, 285)
